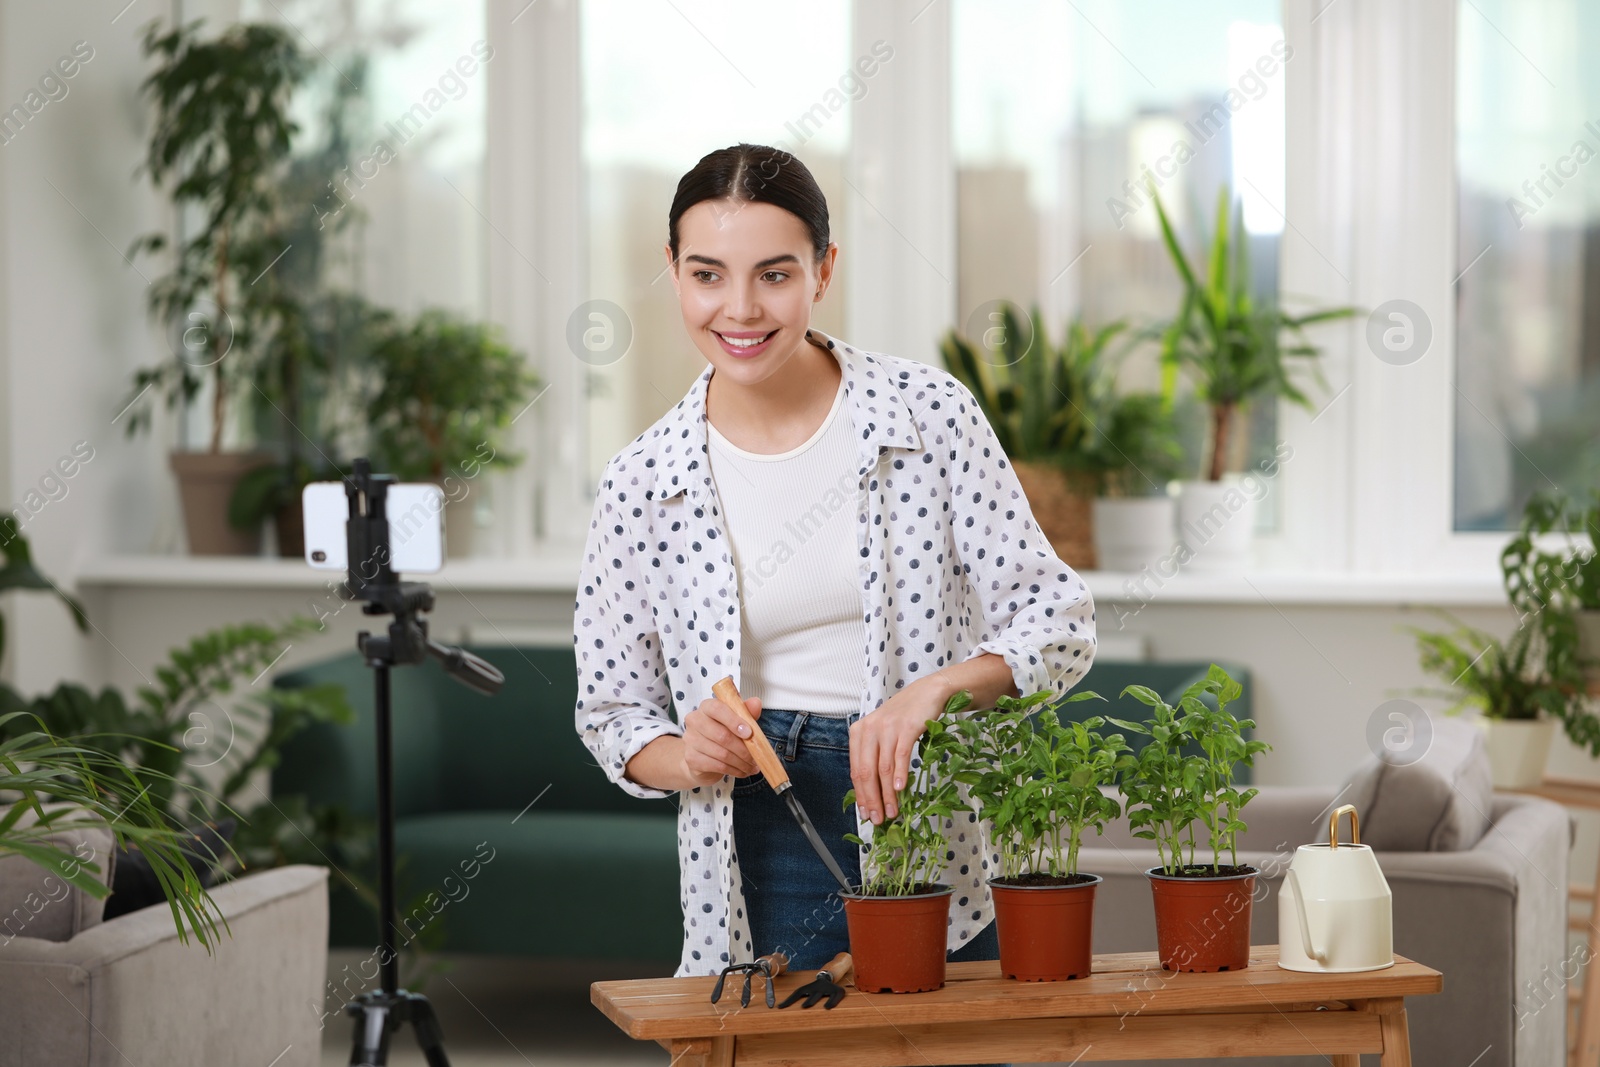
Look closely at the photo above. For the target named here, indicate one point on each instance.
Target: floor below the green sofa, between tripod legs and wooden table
(506, 1013)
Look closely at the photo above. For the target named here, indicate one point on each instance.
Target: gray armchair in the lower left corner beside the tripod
(126, 991)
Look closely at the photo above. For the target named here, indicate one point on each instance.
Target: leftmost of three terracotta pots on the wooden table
(897, 943)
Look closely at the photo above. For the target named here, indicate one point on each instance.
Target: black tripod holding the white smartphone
(385, 1010)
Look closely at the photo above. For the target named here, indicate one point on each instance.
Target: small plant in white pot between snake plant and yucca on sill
(1138, 454)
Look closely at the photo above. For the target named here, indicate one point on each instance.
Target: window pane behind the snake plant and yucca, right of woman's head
(1055, 145)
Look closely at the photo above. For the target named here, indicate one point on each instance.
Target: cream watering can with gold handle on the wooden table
(1335, 913)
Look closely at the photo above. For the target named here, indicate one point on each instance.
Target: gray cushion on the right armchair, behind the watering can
(1438, 804)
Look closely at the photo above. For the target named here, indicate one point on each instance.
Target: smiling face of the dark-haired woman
(746, 281)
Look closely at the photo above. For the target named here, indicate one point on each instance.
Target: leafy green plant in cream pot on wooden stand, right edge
(1516, 690)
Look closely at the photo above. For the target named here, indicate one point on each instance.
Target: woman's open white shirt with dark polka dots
(951, 562)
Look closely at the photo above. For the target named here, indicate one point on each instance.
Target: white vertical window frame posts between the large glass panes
(1370, 217)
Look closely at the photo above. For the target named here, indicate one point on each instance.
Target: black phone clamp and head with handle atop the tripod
(372, 580)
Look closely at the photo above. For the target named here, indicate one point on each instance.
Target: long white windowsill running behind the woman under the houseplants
(558, 573)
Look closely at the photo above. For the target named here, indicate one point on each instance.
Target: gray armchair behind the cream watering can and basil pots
(1490, 917)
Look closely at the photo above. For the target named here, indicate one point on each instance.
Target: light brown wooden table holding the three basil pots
(1129, 1009)
